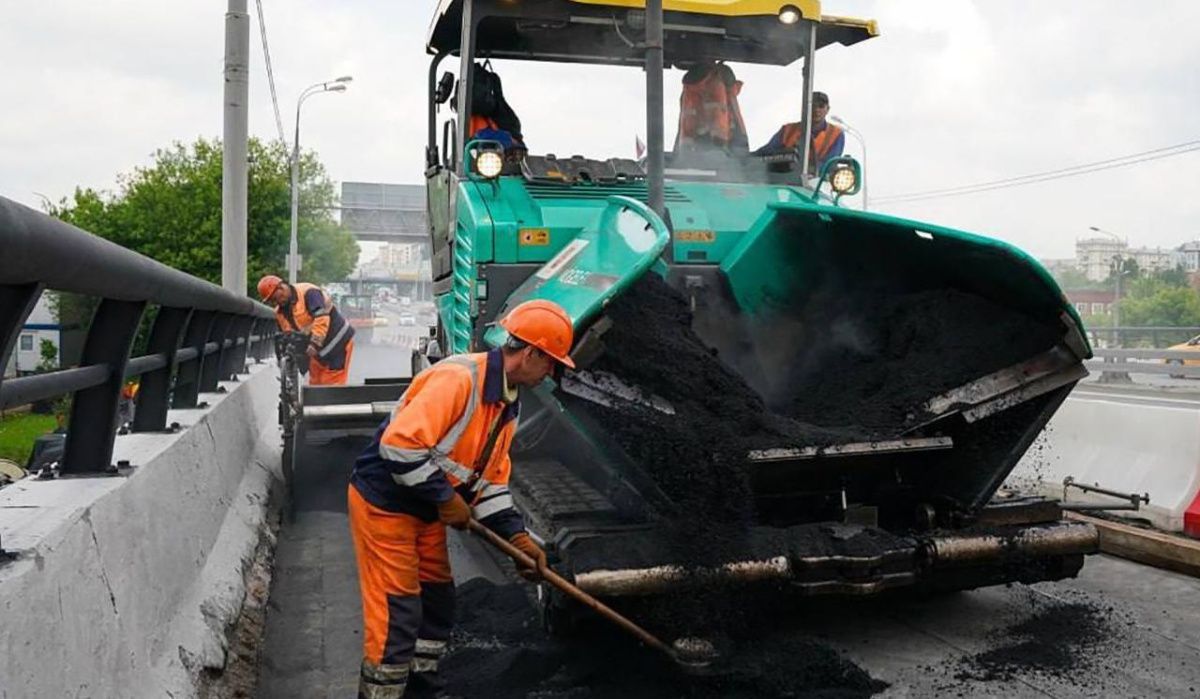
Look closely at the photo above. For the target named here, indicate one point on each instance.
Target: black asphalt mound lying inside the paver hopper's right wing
(869, 361)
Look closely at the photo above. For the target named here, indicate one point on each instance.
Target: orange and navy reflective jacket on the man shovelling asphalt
(449, 433)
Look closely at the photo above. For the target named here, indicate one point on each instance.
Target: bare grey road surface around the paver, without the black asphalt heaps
(313, 646)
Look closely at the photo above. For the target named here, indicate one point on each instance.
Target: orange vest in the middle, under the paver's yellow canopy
(710, 112)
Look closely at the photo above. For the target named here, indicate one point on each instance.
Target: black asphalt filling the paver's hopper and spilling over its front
(863, 366)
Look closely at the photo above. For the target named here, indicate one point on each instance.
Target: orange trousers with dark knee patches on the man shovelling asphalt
(407, 598)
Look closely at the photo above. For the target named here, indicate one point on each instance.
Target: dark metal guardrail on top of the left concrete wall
(201, 336)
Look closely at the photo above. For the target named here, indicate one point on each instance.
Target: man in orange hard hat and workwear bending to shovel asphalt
(441, 459)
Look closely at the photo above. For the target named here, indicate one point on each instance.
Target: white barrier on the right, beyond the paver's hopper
(1132, 444)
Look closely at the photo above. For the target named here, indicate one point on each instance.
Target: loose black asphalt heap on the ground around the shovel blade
(501, 652)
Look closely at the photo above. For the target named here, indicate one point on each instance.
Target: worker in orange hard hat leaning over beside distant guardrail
(307, 308)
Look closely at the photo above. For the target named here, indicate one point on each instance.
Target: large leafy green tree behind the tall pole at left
(171, 212)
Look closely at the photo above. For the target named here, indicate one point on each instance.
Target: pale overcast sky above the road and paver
(952, 93)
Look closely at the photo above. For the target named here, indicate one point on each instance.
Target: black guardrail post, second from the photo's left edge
(89, 446)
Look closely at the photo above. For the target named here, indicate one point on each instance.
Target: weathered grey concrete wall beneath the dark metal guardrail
(127, 587)
